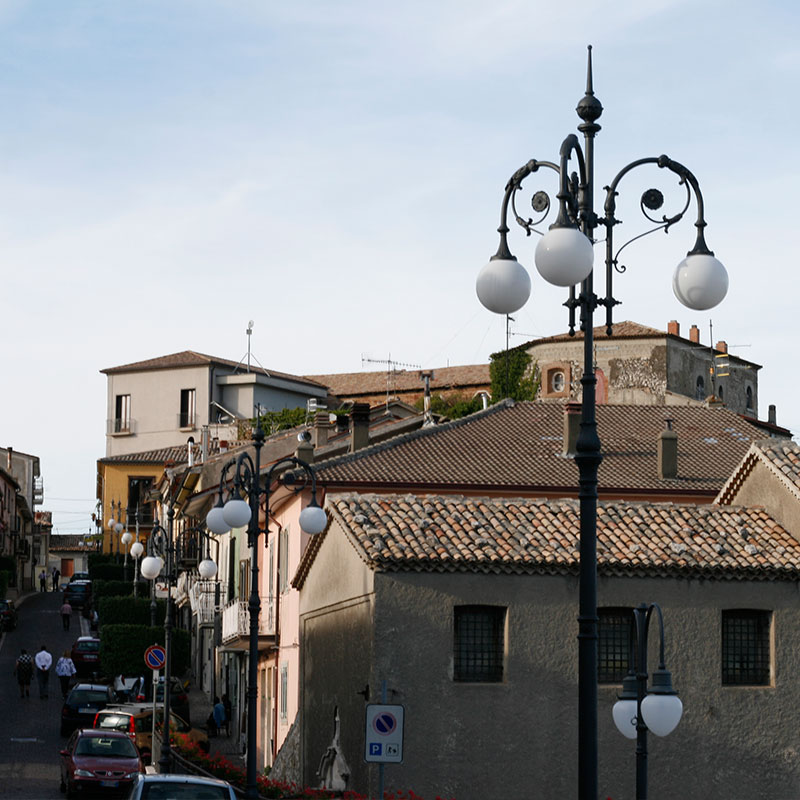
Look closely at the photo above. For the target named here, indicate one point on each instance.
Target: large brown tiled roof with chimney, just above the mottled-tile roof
(519, 448)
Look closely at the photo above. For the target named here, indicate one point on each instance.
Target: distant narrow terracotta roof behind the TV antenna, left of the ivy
(351, 384)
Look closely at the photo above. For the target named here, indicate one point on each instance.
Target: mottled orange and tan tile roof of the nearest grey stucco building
(451, 533)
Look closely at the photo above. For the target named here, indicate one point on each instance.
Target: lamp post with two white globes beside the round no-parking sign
(164, 555)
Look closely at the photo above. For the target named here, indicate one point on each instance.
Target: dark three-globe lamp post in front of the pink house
(236, 513)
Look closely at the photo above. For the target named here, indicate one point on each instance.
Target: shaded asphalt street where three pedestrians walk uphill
(29, 728)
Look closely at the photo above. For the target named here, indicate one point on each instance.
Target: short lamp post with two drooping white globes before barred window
(638, 710)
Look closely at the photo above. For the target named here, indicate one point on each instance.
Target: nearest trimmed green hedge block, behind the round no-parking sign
(122, 648)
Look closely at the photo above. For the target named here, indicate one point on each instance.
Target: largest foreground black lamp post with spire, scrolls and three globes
(564, 256)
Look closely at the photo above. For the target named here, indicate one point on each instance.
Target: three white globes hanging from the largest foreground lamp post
(565, 257)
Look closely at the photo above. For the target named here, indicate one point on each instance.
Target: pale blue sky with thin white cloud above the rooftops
(334, 171)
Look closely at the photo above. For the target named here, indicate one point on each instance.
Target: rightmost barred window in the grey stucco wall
(745, 648)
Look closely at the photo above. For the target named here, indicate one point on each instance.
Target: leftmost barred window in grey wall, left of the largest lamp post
(479, 647)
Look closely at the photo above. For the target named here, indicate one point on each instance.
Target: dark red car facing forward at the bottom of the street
(99, 761)
